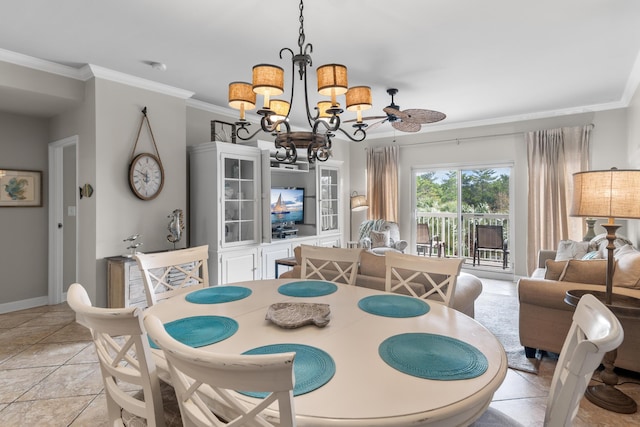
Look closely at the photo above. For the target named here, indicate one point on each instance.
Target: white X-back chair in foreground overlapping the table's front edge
(195, 372)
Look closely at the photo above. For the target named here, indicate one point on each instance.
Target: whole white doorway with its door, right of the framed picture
(63, 215)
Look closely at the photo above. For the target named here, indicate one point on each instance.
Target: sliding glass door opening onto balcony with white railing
(458, 204)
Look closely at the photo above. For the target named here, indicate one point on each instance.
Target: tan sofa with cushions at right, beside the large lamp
(544, 316)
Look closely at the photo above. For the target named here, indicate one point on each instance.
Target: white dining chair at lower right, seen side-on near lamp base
(595, 330)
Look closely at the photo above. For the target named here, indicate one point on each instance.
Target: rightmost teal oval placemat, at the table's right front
(434, 357)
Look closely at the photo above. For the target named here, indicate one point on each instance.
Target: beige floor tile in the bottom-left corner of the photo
(44, 413)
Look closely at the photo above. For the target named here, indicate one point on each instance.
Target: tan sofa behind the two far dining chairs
(371, 274)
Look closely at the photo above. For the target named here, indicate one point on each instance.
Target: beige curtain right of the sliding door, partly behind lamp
(553, 156)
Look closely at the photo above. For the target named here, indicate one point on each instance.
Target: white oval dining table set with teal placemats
(365, 390)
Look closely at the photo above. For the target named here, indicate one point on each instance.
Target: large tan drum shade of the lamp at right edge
(606, 194)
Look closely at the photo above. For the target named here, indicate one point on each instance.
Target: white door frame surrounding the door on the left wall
(56, 216)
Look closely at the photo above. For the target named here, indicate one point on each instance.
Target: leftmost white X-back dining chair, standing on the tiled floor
(126, 364)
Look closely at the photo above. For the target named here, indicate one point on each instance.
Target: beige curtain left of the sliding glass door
(382, 183)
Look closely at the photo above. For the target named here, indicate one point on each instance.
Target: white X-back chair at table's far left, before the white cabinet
(166, 274)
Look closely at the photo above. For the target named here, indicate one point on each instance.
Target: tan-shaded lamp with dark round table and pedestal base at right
(609, 194)
